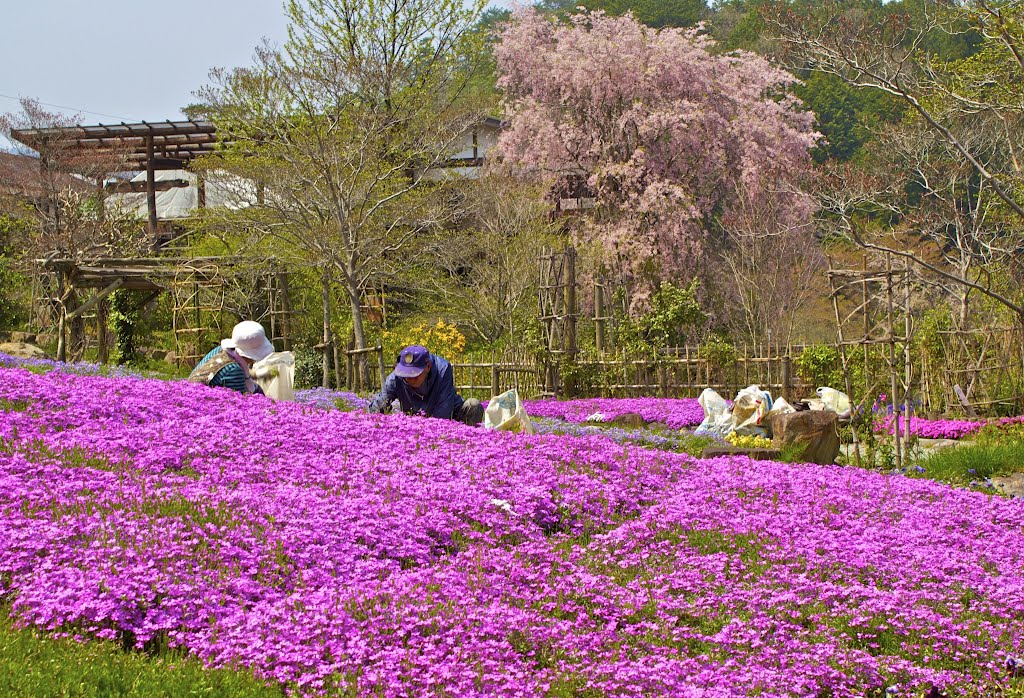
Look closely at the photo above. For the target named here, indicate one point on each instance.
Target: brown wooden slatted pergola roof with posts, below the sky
(146, 146)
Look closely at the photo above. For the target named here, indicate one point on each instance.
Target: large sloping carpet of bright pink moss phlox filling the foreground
(400, 556)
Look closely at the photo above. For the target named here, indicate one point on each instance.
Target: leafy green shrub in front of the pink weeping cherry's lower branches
(673, 315)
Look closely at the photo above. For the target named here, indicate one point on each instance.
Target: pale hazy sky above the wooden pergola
(125, 61)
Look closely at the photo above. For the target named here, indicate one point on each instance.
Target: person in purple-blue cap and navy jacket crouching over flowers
(423, 384)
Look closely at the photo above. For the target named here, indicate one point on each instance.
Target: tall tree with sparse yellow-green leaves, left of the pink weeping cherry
(332, 139)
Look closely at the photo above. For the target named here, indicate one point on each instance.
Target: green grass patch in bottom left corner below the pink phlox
(33, 664)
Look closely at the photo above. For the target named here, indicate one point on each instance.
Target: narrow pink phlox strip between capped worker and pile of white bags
(675, 414)
